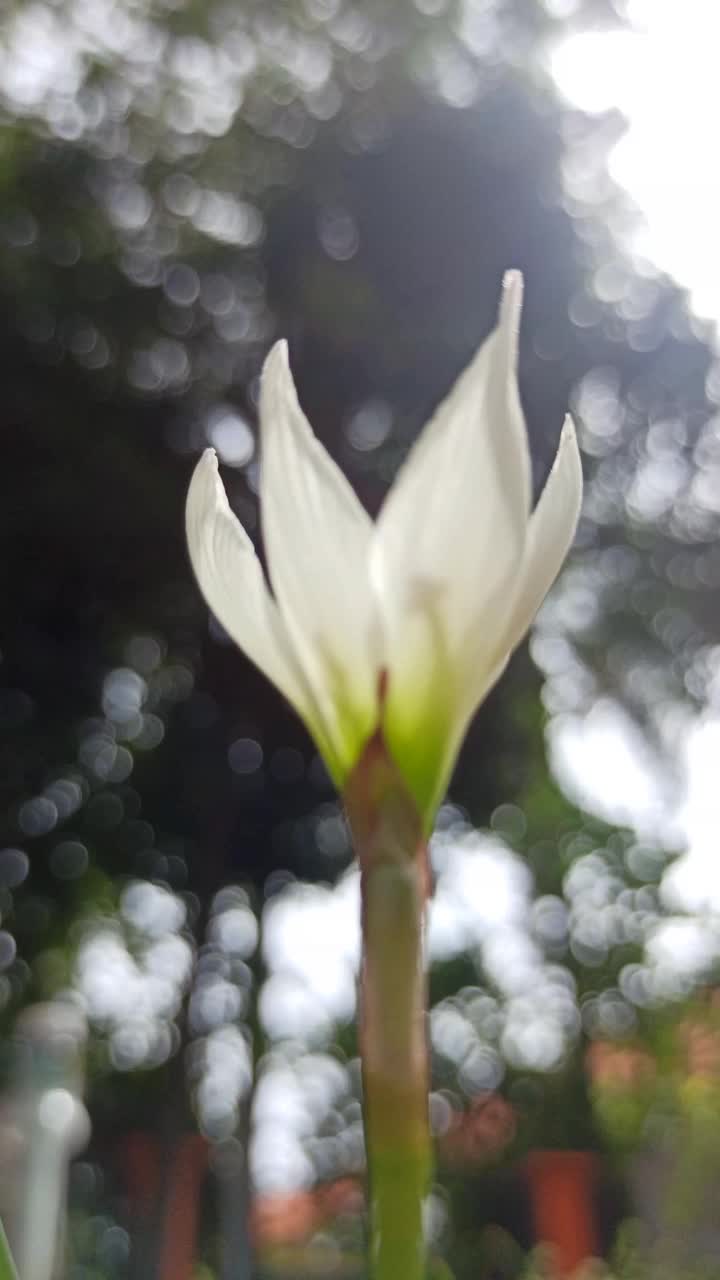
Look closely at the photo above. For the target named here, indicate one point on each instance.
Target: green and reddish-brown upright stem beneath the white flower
(393, 1017)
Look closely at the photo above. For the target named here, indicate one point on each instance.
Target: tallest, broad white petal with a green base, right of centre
(448, 551)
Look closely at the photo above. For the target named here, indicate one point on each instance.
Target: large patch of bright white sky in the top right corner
(663, 76)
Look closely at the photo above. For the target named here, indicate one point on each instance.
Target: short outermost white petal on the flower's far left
(233, 582)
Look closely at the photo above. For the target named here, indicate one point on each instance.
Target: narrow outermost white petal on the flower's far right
(550, 533)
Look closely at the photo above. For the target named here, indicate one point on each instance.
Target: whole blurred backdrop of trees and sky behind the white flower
(181, 182)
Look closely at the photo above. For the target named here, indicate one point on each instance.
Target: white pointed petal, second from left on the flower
(318, 540)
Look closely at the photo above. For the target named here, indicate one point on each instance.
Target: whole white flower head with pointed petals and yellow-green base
(403, 625)
